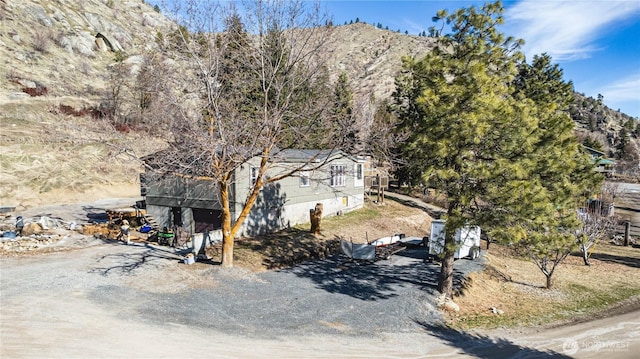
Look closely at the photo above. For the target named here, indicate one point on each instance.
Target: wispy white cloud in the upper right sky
(566, 30)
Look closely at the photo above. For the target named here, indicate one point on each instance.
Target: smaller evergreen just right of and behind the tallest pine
(558, 170)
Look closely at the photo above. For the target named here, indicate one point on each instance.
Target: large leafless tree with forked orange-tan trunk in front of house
(245, 83)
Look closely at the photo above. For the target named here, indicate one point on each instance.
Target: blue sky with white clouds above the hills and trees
(596, 43)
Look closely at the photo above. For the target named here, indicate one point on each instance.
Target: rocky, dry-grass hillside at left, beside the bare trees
(55, 56)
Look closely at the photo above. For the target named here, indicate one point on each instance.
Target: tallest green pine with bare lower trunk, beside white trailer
(463, 123)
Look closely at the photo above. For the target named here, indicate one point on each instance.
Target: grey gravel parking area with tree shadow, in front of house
(318, 297)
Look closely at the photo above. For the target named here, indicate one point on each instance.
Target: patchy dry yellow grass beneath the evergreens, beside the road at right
(516, 286)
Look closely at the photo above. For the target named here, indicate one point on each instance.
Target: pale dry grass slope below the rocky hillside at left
(47, 155)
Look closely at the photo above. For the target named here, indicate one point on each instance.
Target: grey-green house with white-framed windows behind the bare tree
(332, 178)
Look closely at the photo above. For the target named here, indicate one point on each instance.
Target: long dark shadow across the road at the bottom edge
(481, 346)
